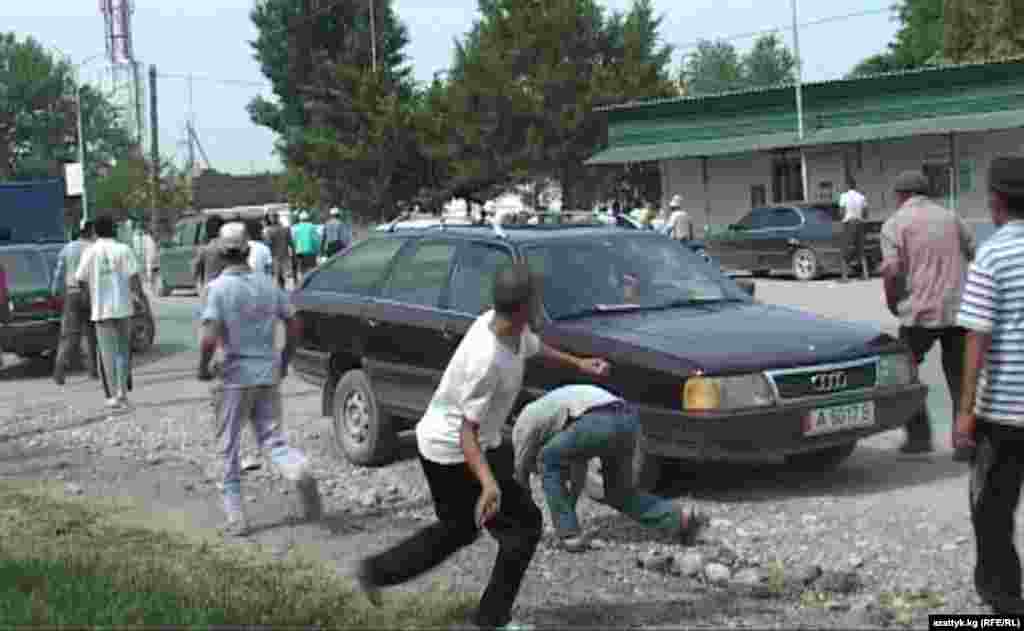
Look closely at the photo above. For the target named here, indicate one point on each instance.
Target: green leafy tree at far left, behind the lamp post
(38, 115)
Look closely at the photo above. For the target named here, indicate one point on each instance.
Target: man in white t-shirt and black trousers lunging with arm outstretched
(472, 480)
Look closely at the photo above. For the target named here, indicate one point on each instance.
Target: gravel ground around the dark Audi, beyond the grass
(883, 541)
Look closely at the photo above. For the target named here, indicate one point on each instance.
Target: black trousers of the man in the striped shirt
(997, 474)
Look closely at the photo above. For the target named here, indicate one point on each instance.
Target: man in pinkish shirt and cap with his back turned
(926, 249)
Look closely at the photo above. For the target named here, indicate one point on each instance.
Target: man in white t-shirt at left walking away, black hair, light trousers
(110, 270)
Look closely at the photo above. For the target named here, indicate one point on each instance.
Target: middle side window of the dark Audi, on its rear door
(420, 277)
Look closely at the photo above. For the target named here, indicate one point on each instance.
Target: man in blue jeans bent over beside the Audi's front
(567, 429)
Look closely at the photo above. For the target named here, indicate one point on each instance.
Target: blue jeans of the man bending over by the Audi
(611, 436)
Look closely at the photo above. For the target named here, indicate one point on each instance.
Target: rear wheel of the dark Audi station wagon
(362, 434)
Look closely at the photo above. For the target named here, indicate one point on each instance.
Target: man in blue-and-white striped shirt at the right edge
(992, 407)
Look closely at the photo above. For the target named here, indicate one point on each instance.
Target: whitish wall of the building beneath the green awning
(731, 179)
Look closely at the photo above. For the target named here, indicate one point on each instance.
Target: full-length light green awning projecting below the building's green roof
(745, 145)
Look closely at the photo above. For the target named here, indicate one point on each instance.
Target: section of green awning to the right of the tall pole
(989, 121)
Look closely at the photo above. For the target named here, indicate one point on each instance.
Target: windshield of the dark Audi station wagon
(621, 273)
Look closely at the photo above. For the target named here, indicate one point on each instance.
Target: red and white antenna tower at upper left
(127, 90)
